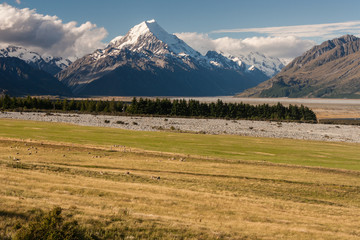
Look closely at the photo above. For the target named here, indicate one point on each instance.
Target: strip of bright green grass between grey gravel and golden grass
(289, 151)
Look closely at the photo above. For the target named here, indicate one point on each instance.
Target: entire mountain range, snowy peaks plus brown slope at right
(148, 61)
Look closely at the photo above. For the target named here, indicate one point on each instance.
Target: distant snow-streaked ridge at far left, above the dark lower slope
(48, 64)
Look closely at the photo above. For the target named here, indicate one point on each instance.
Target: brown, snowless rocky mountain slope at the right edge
(329, 70)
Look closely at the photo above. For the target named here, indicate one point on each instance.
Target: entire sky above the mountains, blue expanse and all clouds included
(277, 28)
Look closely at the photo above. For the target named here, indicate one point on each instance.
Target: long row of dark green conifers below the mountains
(164, 107)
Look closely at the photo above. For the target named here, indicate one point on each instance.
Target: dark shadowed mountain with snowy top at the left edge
(23, 72)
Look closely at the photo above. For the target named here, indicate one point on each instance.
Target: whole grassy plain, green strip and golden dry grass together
(180, 185)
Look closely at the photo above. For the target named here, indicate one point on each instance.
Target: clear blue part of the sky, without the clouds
(117, 16)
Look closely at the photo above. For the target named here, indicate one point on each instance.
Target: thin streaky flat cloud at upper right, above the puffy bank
(323, 31)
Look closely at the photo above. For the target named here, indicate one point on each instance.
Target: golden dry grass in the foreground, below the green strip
(221, 199)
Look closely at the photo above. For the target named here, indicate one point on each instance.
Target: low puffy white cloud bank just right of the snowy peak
(281, 47)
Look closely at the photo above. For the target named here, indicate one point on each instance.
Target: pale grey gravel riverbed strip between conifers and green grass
(318, 132)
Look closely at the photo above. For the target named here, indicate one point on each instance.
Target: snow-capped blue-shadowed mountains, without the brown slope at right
(147, 61)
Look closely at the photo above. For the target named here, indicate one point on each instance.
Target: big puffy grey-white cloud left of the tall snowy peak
(46, 34)
